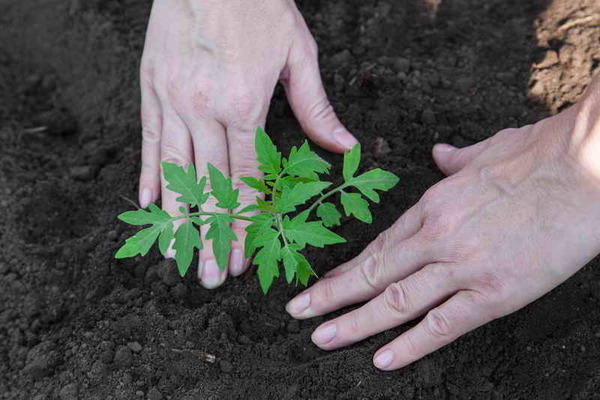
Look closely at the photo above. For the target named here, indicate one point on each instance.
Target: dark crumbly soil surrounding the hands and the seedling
(75, 323)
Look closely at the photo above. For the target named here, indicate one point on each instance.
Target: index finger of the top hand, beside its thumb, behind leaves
(243, 163)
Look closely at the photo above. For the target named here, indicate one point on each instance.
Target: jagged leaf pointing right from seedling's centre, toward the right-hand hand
(313, 233)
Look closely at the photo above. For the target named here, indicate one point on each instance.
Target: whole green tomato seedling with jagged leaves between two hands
(281, 224)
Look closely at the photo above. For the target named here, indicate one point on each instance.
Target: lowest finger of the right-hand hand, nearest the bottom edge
(460, 314)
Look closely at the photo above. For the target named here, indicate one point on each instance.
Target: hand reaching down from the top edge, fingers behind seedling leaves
(208, 72)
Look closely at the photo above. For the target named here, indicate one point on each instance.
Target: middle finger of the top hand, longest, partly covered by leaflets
(210, 146)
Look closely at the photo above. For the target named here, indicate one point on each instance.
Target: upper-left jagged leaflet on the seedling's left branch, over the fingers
(184, 183)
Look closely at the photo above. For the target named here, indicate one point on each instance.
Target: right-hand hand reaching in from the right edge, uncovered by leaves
(518, 215)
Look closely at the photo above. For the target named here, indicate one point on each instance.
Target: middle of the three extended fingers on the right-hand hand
(400, 302)
